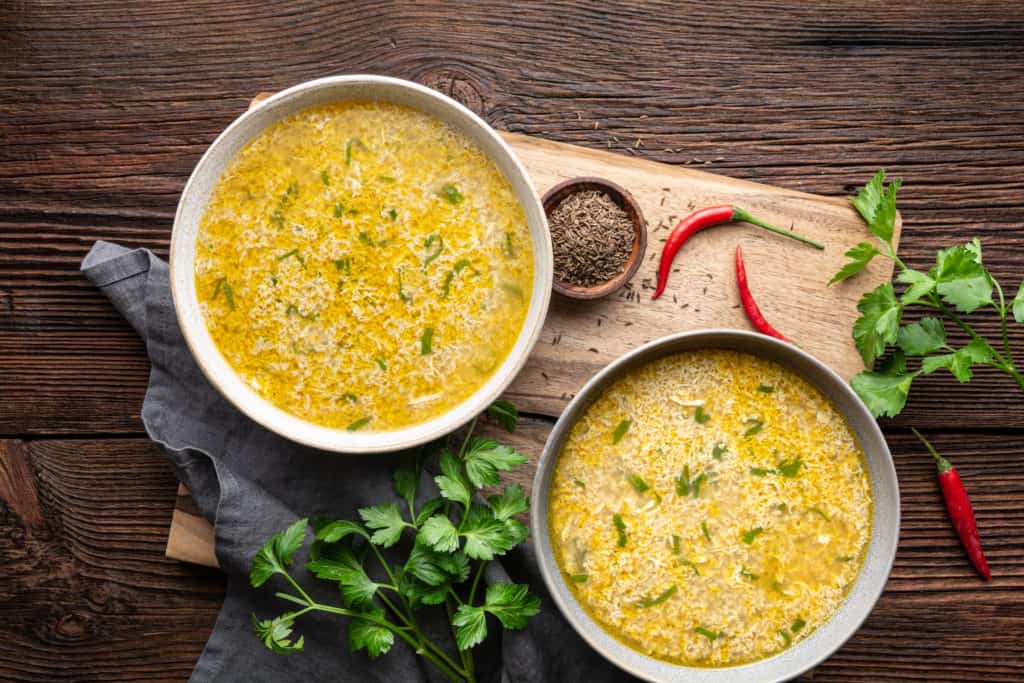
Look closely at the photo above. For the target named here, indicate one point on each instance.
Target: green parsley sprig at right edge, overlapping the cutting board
(958, 284)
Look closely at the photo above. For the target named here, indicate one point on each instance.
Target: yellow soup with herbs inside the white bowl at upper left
(364, 266)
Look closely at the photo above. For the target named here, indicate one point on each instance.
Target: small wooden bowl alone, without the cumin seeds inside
(621, 197)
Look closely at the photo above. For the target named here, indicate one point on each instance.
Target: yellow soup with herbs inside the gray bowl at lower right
(711, 509)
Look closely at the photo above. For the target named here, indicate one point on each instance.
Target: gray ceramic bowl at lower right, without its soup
(885, 532)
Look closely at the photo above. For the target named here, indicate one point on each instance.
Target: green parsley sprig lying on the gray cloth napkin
(441, 541)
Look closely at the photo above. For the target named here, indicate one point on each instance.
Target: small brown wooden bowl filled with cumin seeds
(599, 237)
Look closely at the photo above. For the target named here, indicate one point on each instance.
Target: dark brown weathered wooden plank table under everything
(105, 108)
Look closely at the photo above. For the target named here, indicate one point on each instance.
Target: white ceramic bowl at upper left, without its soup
(221, 155)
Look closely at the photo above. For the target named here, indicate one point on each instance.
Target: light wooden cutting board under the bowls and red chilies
(788, 280)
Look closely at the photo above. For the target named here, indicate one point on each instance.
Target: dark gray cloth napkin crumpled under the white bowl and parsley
(252, 484)
